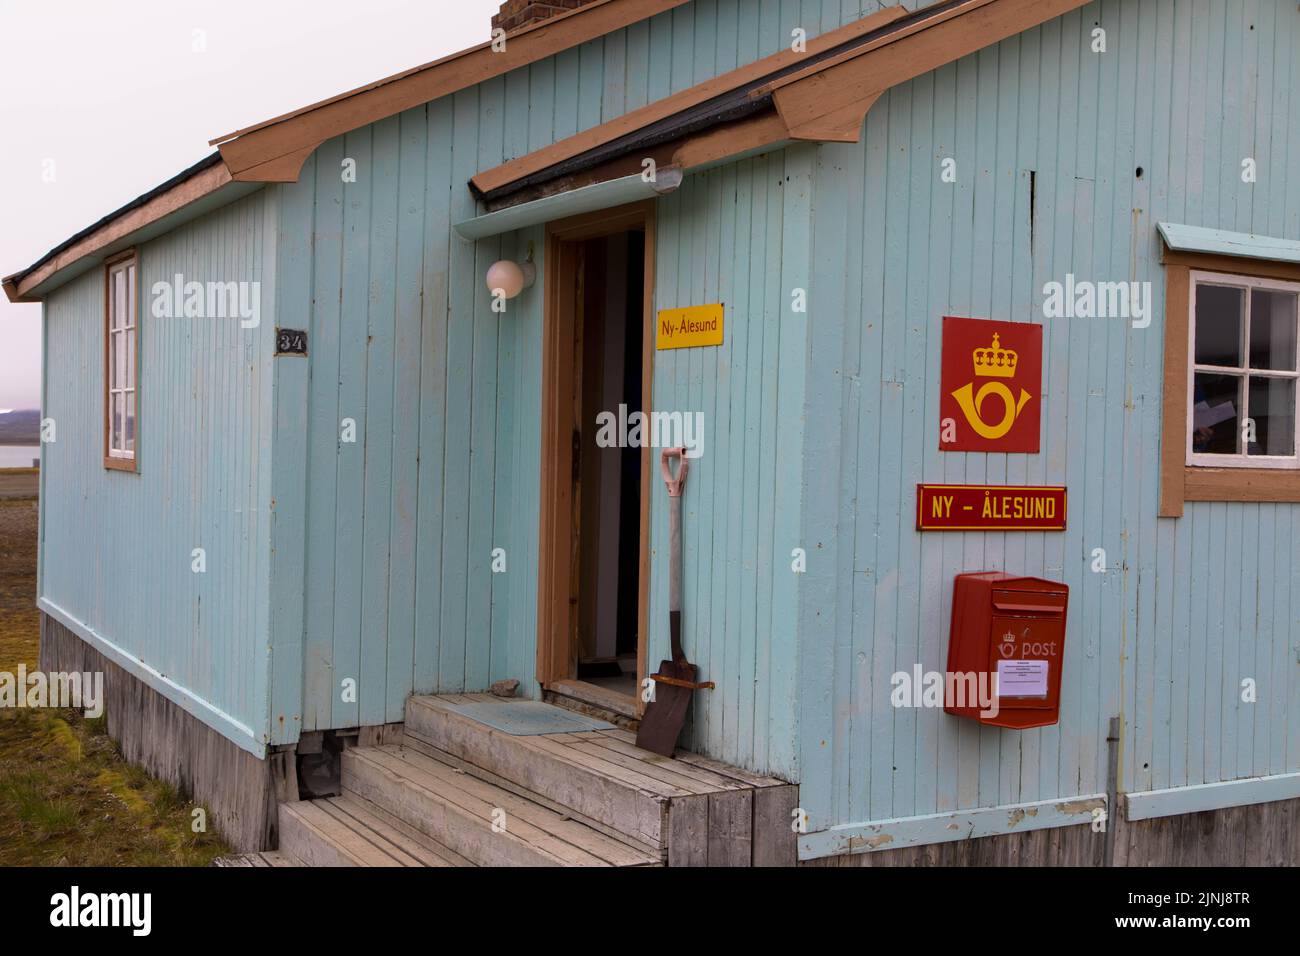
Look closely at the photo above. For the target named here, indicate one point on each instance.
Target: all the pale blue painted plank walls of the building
(370, 561)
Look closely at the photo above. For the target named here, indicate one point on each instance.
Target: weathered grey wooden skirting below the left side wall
(174, 745)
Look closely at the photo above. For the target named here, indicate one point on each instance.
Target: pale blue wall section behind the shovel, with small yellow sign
(740, 236)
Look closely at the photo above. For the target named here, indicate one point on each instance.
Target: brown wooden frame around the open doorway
(554, 613)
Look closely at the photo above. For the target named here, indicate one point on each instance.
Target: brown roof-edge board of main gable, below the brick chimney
(252, 153)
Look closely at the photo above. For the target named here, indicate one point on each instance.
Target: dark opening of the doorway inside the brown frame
(608, 393)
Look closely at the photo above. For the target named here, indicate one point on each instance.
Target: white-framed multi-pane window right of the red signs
(1245, 373)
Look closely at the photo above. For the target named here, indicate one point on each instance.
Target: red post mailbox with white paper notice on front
(1008, 634)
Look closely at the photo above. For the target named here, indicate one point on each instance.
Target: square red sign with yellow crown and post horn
(990, 386)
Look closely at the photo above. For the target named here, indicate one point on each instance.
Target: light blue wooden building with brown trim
(283, 546)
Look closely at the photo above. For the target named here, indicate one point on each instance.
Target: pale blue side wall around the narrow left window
(116, 547)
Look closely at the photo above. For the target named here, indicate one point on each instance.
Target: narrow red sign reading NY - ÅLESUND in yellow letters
(990, 508)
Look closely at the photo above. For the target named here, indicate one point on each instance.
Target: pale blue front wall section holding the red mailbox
(1188, 608)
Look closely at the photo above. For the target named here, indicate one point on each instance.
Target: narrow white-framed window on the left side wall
(122, 425)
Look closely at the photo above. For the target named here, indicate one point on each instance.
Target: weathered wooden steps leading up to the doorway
(458, 793)
